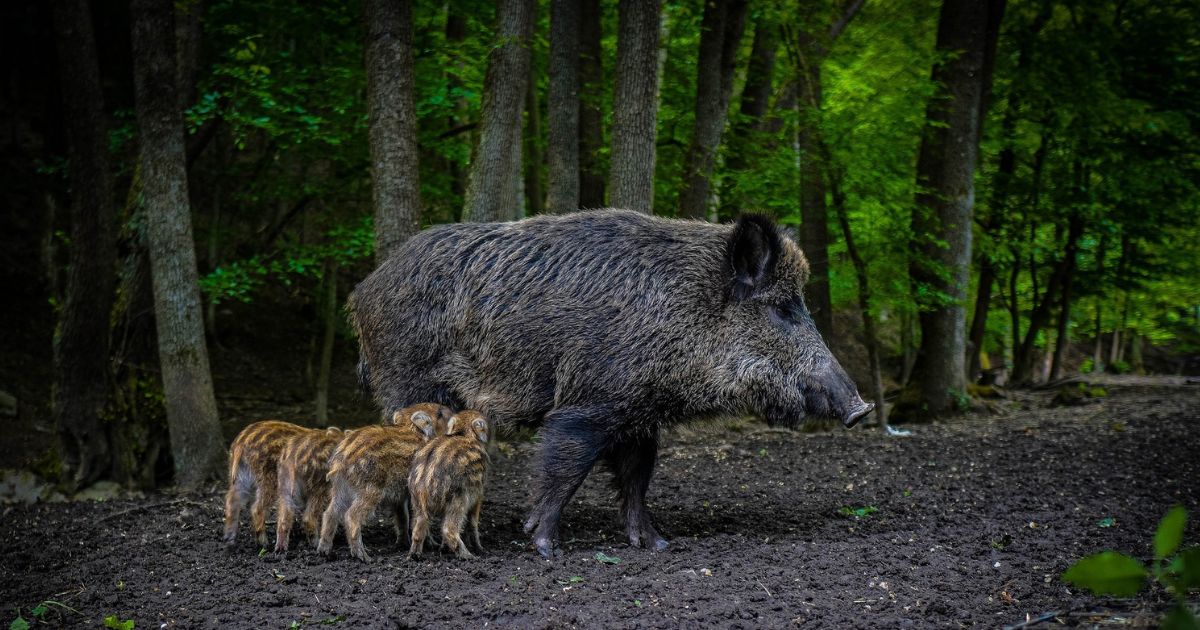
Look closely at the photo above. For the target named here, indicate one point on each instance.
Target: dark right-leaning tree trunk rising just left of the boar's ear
(719, 41)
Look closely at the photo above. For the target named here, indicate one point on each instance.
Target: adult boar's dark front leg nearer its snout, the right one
(633, 465)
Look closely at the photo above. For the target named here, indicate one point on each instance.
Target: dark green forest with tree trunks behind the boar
(989, 193)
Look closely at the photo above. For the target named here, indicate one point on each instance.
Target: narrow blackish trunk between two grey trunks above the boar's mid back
(591, 110)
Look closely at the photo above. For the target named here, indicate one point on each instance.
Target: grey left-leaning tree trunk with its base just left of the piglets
(196, 441)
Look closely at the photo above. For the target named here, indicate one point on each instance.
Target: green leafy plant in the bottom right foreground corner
(1112, 573)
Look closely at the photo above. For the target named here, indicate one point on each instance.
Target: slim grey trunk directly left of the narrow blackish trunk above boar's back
(565, 107)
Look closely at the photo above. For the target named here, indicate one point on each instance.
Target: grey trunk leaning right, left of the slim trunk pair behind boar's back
(495, 189)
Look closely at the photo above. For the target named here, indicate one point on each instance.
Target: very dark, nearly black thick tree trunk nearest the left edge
(81, 345)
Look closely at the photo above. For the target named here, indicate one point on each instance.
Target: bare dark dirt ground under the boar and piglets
(976, 520)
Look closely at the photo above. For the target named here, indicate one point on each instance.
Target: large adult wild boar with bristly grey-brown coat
(601, 328)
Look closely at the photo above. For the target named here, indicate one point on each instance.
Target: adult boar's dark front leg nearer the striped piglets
(573, 440)
